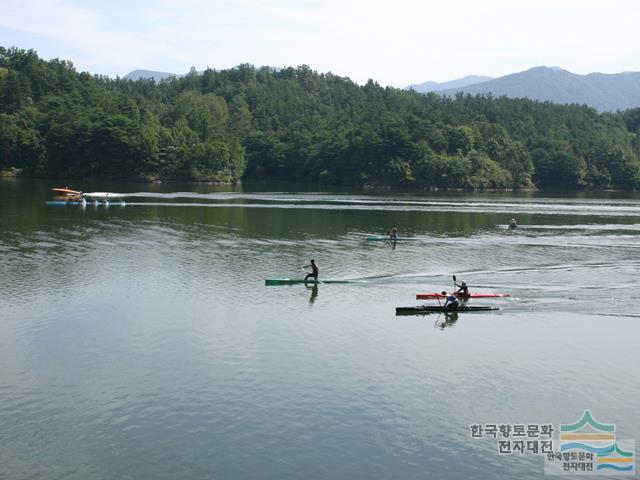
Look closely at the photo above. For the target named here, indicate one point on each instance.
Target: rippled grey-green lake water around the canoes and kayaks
(141, 341)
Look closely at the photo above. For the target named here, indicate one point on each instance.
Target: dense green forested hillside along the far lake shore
(296, 124)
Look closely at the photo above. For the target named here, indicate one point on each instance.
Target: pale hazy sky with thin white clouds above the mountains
(395, 42)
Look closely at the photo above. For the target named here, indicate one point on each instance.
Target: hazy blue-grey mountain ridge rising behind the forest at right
(604, 92)
